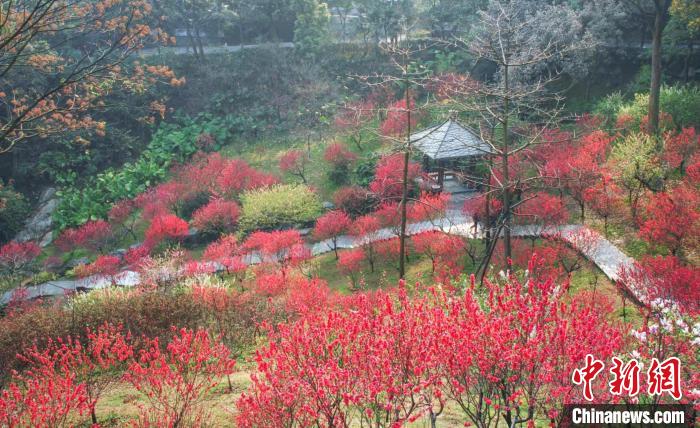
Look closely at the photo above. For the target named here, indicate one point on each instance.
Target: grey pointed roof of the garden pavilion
(449, 140)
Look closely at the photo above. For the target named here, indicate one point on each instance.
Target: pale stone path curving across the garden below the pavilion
(606, 256)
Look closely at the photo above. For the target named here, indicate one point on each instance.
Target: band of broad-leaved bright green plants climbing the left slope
(170, 144)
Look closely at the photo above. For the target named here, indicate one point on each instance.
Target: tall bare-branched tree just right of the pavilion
(517, 104)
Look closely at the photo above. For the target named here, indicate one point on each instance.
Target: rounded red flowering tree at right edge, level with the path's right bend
(672, 219)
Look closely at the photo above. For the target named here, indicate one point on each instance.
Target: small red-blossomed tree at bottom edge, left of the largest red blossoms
(175, 382)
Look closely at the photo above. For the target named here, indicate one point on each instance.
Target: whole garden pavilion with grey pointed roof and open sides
(450, 149)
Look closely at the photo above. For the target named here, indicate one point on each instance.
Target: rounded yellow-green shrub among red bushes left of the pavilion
(278, 207)
